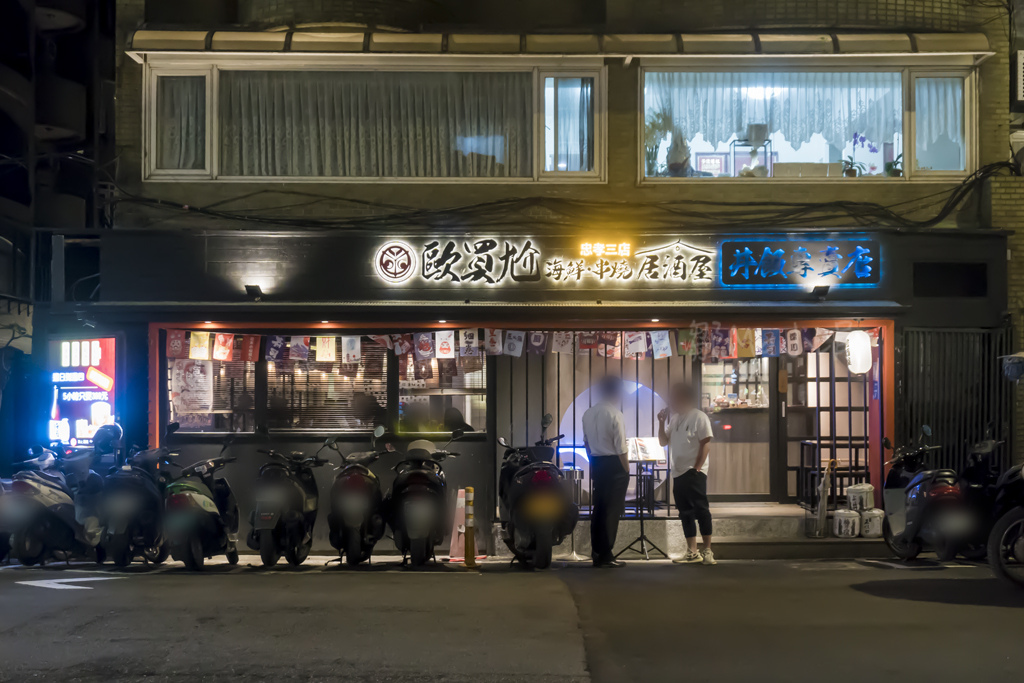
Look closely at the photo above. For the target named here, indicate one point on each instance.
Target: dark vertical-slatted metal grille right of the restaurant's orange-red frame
(952, 381)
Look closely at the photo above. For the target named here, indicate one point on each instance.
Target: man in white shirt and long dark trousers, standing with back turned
(605, 437)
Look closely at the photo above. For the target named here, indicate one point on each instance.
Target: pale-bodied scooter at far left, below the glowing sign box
(54, 509)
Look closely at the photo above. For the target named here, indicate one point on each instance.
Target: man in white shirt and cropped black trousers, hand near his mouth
(689, 436)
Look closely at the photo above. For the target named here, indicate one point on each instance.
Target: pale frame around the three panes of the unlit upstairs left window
(211, 65)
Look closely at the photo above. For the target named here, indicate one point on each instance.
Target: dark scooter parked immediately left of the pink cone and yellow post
(416, 506)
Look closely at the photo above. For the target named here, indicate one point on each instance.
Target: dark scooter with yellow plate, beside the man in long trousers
(536, 509)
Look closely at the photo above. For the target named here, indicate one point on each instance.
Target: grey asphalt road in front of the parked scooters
(743, 621)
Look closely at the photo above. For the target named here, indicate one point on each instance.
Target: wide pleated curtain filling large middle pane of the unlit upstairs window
(380, 124)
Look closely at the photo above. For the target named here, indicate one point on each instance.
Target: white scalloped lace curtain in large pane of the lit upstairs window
(721, 105)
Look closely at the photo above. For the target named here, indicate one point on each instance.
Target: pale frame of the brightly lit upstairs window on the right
(764, 65)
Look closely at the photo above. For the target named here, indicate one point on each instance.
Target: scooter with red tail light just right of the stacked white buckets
(924, 508)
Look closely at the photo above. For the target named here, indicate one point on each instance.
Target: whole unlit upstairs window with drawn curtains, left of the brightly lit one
(514, 123)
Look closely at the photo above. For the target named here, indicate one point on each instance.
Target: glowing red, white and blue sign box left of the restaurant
(83, 373)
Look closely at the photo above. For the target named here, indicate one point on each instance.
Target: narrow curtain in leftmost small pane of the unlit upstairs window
(181, 122)
